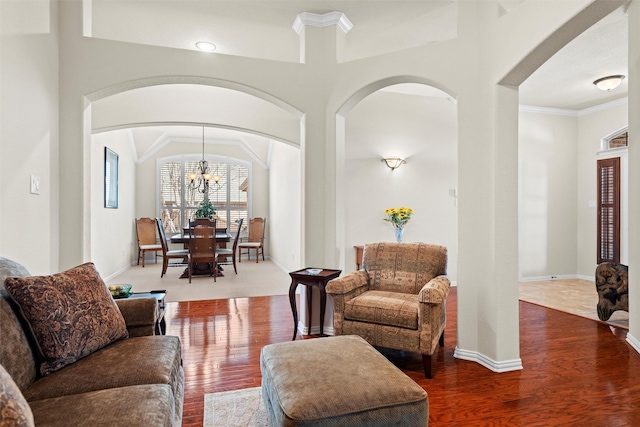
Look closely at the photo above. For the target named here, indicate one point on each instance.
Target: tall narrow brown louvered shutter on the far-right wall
(609, 210)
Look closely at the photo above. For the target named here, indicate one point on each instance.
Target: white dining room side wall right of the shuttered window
(285, 204)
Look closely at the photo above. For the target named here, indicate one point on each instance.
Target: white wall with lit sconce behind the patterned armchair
(423, 130)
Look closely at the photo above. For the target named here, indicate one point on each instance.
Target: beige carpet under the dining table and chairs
(253, 279)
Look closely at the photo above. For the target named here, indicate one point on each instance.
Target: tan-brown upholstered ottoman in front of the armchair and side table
(337, 381)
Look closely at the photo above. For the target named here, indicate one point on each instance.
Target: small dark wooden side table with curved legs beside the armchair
(303, 277)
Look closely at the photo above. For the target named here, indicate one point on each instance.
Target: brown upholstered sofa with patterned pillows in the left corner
(130, 378)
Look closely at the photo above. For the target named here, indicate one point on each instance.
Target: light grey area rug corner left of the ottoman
(237, 408)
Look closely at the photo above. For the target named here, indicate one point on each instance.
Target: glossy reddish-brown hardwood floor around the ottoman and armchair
(576, 371)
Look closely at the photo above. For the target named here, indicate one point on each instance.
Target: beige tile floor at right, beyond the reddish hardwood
(574, 296)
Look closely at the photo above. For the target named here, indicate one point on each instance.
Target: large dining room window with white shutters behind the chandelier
(179, 202)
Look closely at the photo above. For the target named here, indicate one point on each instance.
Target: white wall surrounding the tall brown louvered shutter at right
(592, 128)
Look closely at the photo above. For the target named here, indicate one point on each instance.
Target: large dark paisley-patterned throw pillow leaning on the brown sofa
(71, 314)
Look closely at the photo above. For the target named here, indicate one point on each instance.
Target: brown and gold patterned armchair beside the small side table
(397, 299)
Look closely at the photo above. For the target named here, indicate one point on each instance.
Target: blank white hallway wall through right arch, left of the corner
(548, 162)
